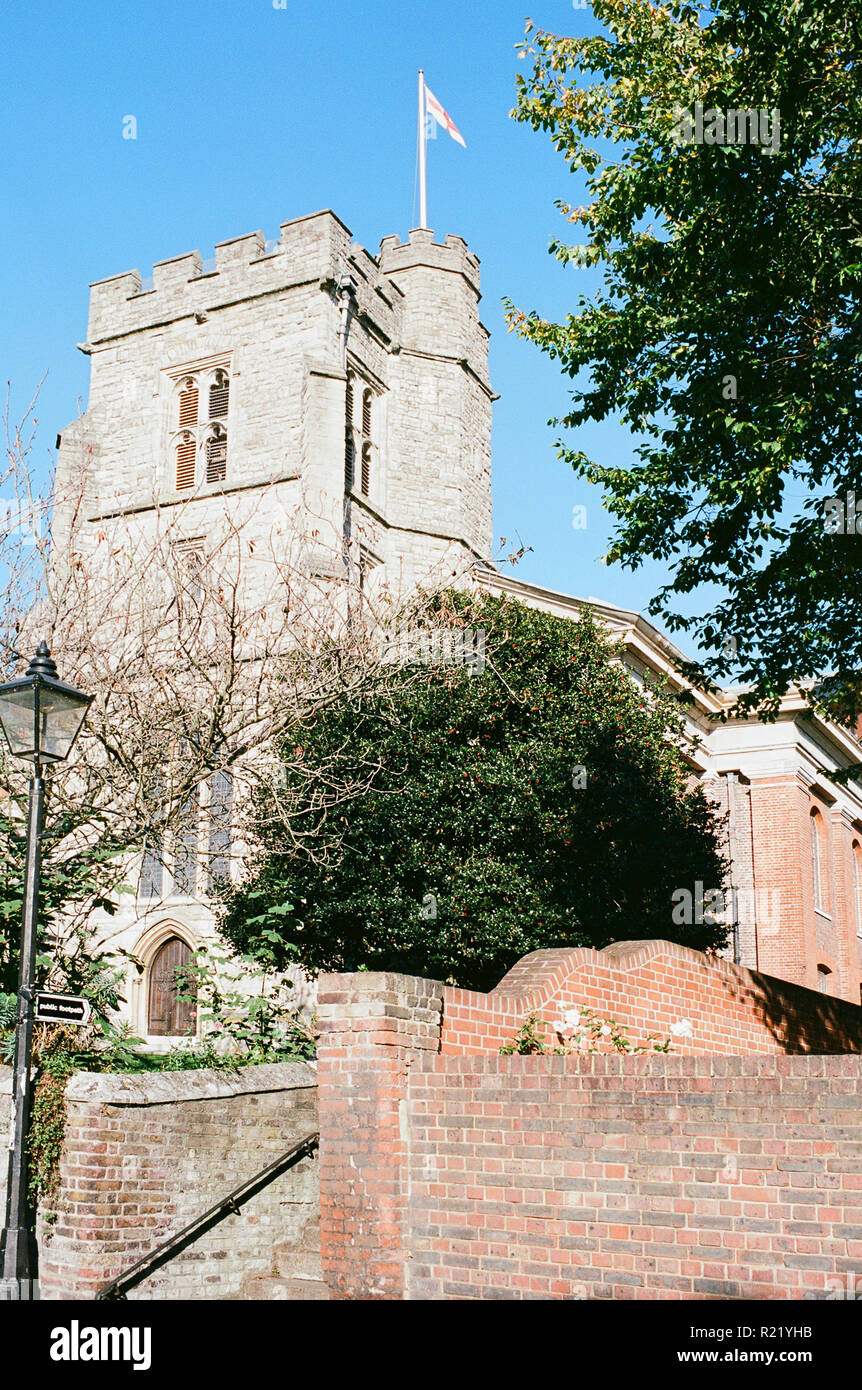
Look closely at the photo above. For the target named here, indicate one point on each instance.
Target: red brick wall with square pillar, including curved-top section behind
(448, 1174)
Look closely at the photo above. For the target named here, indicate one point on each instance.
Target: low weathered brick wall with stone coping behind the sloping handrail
(147, 1154)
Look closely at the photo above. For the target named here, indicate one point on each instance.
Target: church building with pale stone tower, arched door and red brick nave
(357, 387)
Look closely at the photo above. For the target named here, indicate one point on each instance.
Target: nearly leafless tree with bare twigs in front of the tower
(198, 654)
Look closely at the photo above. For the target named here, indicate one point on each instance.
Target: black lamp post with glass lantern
(41, 719)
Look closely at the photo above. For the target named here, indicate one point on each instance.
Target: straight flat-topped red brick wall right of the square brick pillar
(635, 1178)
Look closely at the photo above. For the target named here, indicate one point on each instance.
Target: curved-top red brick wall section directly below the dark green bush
(650, 986)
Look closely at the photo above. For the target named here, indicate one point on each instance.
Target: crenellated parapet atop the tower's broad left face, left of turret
(308, 248)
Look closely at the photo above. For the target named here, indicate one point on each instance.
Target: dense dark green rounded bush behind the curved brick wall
(479, 840)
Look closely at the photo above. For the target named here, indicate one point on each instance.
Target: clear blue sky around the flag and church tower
(250, 115)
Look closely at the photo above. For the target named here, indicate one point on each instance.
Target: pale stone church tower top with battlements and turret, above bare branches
(348, 384)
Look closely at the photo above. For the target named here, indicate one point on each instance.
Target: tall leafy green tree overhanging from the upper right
(726, 329)
